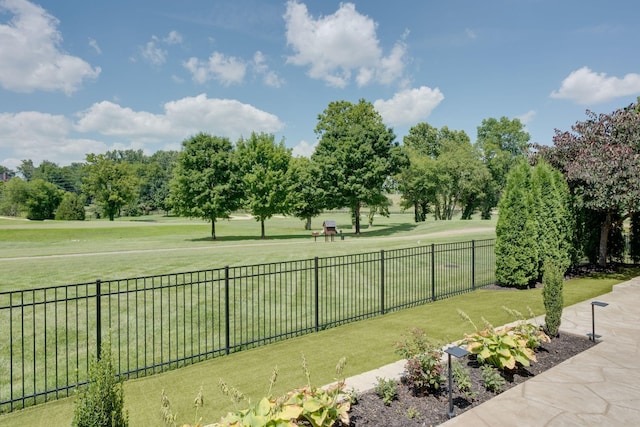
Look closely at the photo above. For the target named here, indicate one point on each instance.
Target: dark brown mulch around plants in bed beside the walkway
(409, 410)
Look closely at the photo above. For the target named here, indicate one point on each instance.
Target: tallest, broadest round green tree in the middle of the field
(356, 153)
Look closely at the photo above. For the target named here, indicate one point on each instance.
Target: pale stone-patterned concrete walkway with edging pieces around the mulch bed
(598, 387)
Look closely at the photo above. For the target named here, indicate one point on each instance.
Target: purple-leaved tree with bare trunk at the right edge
(600, 159)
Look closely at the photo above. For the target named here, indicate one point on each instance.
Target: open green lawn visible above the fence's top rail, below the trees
(41, 254)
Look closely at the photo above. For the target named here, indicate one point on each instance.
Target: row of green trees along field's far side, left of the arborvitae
(356, 162)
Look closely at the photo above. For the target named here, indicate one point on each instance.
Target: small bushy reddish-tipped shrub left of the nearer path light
(424, 371)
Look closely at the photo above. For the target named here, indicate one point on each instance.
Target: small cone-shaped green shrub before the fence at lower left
(101, 402)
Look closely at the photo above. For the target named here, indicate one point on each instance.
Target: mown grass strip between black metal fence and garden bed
(366, 344)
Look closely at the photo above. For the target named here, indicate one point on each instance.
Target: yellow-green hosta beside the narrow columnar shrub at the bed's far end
(499, 347)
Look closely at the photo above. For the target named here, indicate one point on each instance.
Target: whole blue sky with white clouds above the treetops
(80, 77)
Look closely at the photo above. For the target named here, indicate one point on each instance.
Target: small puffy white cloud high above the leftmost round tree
(226, 70)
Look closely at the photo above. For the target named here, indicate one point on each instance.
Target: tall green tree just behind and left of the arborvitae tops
(501, 142)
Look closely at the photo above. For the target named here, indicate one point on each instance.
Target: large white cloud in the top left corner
(31, 57)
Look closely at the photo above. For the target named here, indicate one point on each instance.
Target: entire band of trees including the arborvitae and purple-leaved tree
(356, 163)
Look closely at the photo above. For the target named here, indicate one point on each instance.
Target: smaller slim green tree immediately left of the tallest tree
(306, 199)
